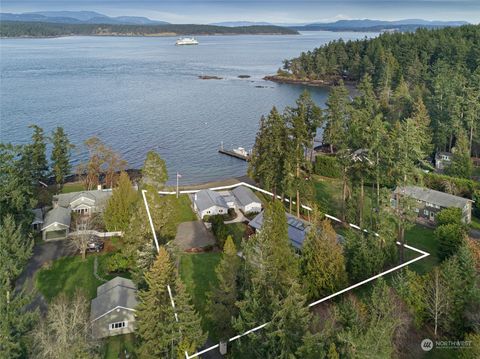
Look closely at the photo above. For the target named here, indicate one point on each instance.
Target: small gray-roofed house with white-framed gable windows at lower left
(112, 312)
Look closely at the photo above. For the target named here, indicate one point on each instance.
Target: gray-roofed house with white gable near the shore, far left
(84, 202)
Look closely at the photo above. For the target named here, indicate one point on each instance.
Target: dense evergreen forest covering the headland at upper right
(442, 67)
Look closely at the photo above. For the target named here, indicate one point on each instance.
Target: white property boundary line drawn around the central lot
(197, 354)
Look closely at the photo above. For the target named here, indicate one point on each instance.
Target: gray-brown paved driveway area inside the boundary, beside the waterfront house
(193, 234)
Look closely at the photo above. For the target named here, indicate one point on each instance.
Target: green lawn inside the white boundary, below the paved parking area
(197, 271)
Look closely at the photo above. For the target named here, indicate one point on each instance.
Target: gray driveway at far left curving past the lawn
(42, 253)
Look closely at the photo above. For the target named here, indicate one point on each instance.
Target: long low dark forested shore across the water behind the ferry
(42, 29)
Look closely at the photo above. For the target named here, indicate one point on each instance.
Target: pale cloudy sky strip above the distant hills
(276, 11)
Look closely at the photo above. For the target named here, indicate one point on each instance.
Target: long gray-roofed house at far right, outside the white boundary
(430, 202)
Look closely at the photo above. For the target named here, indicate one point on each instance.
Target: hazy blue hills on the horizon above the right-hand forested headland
(377, 25)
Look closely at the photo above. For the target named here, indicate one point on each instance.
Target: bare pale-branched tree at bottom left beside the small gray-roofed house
(65, 332)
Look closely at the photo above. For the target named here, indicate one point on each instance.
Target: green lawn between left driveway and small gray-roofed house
(66, 275)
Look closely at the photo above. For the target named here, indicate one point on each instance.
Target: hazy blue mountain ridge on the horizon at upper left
(78, 17)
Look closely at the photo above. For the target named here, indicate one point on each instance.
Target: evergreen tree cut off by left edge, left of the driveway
(15, 250)
